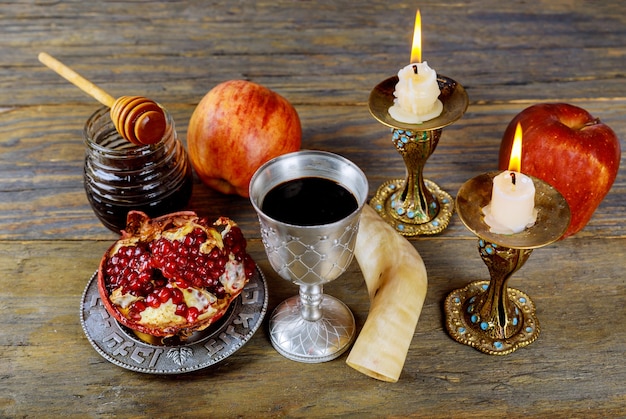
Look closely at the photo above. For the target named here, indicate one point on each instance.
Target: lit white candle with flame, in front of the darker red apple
(512, 206)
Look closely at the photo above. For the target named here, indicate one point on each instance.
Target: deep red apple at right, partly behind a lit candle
(571, 150)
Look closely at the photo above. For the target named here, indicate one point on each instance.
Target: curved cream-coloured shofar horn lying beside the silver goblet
(396, 281)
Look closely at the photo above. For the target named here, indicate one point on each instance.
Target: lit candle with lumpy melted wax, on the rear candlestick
(417, 91)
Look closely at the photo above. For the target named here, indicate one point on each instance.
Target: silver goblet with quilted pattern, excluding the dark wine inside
(311, 327)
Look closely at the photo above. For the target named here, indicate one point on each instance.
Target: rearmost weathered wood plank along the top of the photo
(331, 54)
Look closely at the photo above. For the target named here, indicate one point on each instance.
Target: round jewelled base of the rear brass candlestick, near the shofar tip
(385, 203)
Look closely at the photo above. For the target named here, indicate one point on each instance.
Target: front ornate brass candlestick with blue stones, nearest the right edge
(488, 315)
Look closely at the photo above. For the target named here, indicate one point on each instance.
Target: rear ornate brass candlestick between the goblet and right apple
(414, 205)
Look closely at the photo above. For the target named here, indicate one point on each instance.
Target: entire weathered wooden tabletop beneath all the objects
(325, 57)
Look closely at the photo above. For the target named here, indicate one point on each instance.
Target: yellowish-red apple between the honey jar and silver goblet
(236, 127)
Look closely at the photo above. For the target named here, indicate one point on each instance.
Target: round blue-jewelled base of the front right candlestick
(466, 327)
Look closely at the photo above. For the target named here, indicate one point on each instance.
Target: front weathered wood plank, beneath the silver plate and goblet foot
(575, 368)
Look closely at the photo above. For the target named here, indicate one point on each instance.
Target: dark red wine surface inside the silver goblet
(309, 201)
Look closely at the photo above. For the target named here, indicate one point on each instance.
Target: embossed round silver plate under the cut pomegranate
(119, 345)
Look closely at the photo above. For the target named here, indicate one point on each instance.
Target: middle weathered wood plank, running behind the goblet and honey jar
(42, 197)
